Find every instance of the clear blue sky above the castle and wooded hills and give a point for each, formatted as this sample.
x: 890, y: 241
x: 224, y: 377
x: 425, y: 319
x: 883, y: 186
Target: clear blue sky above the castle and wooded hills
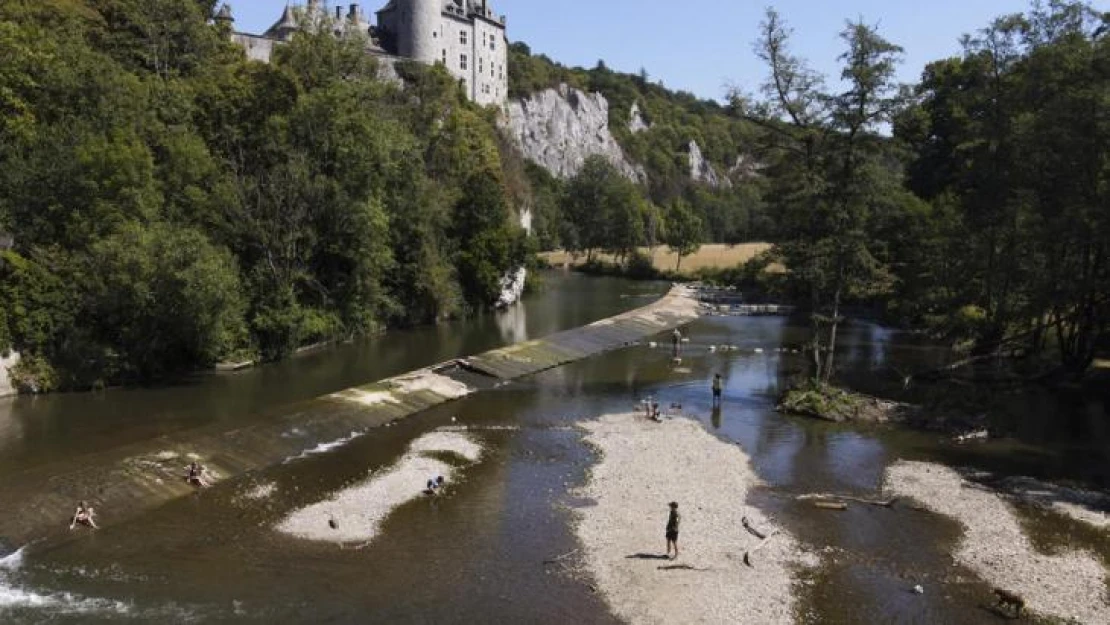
x: 703, y: 46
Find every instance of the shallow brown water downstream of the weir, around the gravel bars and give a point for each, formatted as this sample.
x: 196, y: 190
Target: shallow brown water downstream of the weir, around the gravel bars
x: 501, y: 547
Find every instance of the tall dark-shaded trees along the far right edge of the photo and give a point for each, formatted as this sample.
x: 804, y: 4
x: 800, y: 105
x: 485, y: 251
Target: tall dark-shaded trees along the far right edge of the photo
x: 1010, y: 146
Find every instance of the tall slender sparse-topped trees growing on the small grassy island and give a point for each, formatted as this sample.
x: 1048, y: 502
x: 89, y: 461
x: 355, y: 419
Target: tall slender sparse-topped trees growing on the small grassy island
x: 830, y: 182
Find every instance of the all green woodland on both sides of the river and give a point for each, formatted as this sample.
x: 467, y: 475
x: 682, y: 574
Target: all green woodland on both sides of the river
x: 166, y: 205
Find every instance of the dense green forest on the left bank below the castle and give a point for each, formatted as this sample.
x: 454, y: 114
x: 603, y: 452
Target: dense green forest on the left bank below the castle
x: 173, y: 205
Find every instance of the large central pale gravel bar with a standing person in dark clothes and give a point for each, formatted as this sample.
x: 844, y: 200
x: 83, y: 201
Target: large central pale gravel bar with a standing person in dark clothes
x: 644, y: 466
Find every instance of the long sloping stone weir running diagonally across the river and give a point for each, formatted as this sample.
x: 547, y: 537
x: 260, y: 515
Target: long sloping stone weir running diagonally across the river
x: 130, y: 480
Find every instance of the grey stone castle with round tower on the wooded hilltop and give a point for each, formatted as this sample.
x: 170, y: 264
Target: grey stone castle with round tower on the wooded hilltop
x: 465, y: 36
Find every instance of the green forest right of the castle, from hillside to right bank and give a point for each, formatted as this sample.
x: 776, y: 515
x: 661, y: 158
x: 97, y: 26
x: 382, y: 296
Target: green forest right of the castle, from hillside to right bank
x: 974, y: 206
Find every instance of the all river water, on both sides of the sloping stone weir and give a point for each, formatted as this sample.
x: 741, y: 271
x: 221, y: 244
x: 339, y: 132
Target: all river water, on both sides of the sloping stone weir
x: 479, y: 557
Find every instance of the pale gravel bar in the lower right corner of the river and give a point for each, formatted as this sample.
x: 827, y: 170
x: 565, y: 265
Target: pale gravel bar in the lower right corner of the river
x: 1069, y: 586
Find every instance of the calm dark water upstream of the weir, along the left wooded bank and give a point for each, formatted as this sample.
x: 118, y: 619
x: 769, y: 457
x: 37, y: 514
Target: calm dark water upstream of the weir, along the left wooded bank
x: 36, y: 431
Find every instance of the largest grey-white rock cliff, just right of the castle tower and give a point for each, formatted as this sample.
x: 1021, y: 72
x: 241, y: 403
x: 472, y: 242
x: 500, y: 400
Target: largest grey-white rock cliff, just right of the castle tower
x: 560, y: 129
